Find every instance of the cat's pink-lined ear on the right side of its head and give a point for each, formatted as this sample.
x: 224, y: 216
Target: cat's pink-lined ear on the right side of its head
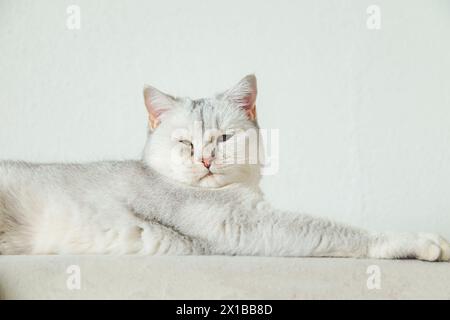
x: 243, y: 94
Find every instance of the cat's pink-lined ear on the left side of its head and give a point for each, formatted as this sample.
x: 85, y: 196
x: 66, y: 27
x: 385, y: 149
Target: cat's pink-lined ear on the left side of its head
x: 157, y: 103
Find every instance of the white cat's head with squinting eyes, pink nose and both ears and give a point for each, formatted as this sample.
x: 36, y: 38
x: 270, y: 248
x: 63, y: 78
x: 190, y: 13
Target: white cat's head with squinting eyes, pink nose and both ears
x: 211, y: 142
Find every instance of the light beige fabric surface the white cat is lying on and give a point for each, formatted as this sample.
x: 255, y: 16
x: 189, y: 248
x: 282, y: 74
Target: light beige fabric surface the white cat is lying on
x: 219, y: 277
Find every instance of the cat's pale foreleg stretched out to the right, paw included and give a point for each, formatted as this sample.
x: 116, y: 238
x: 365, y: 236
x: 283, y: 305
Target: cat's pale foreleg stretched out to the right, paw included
x: 268, y: 232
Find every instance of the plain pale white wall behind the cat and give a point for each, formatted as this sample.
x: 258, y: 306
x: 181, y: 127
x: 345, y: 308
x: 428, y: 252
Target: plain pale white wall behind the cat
x: 364, y: 115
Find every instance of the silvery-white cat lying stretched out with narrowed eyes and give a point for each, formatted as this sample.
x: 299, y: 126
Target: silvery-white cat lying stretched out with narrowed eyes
x: 186, y: 196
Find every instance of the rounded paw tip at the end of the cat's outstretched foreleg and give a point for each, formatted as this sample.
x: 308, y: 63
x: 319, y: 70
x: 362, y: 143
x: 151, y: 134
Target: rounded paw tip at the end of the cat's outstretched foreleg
x: 432, y: 247
